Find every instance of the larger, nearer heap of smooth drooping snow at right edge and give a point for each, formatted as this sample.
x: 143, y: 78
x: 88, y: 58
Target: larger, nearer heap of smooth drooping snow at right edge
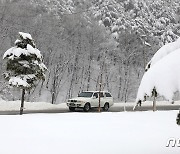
x: 164, y: 77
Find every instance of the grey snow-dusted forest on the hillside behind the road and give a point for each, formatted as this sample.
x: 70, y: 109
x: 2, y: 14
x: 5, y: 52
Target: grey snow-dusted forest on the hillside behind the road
x: 84, y: 40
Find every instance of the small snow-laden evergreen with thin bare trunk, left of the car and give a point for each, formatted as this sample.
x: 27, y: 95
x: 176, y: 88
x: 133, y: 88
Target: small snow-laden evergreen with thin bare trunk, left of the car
x: 24, y: 64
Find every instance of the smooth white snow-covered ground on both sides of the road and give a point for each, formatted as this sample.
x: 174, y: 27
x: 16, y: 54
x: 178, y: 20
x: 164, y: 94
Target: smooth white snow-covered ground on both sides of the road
x: 88, y: 133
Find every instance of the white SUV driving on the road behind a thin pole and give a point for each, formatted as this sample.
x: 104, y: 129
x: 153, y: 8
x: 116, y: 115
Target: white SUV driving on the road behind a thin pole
x: 90, y: 99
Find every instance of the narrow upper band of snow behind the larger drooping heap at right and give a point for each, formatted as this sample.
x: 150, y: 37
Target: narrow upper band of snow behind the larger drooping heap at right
x: 163, y: 51
